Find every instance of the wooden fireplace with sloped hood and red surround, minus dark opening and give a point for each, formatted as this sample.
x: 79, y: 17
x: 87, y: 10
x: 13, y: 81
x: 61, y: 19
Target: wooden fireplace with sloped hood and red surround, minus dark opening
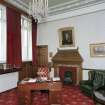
x: 68, y: 60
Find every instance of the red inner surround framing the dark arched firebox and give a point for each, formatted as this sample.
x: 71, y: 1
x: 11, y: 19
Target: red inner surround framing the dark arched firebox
x: 62, y: 70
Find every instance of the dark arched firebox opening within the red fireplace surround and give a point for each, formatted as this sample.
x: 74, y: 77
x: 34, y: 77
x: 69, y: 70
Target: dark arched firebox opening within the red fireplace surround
x: 67, y: 77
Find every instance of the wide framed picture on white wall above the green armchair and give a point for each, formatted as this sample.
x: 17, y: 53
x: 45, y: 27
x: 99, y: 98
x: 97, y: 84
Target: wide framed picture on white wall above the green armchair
x: 97, y: 50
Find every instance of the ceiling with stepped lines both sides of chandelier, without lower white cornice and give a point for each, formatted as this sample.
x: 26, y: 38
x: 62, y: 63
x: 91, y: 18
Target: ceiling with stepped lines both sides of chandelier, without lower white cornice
x: 58, y: 6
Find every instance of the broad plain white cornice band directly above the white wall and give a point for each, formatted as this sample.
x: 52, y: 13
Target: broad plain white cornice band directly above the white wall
x: 78, y: 12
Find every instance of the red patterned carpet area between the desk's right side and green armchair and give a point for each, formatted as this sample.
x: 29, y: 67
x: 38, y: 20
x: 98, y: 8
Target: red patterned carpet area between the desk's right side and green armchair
x: 73, y: 96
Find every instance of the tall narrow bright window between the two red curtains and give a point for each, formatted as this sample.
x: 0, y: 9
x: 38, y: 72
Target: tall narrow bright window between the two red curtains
x: 26, y: 39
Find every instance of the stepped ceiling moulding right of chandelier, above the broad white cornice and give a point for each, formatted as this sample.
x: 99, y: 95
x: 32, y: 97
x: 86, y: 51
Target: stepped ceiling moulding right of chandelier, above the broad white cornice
x: 72, y: 5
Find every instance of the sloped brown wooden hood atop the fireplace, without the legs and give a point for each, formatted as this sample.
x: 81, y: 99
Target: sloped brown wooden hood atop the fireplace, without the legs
x: 71, y: 57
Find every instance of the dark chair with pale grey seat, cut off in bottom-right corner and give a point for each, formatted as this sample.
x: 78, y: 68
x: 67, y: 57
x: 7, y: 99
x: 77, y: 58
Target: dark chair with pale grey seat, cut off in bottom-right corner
x: 99, y: 95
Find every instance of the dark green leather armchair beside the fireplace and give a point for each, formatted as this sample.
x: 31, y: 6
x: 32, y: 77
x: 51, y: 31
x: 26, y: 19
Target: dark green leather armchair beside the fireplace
x: 96, y: 80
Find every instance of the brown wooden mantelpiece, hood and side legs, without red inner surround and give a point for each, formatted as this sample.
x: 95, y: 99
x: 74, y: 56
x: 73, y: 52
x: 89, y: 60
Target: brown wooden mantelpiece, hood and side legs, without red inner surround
x: 68, y: 58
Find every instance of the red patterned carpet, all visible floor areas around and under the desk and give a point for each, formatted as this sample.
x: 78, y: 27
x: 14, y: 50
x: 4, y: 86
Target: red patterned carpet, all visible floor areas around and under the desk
x: 70, y: 96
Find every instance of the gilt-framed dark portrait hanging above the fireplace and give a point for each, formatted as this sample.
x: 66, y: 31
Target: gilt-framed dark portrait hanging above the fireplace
x: 66, y: 37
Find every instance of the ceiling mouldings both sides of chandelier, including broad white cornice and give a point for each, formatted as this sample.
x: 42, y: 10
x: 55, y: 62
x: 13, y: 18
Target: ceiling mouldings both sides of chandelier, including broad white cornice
x: 67, y: 9
